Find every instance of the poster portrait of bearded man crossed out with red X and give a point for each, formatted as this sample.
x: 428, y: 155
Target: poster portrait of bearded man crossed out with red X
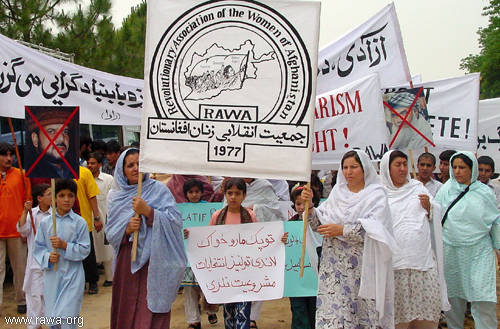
x: 52, y: 163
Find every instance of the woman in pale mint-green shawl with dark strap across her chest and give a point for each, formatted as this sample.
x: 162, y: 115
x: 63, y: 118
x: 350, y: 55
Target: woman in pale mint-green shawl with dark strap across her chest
x: 471, y: 231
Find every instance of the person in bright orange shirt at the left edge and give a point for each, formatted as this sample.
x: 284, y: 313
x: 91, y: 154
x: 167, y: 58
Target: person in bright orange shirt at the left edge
x: 13, y: 194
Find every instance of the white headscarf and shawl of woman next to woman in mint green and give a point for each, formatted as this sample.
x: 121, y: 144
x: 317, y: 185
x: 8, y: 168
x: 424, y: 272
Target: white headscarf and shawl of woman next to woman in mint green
x: 405, y: 204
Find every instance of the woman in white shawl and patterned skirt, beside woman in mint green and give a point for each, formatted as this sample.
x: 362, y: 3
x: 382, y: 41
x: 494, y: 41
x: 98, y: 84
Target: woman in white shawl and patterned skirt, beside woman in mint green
x: 420, y: 295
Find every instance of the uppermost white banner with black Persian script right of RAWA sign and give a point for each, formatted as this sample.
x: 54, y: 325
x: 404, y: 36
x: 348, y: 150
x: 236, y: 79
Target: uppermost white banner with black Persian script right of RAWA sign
x: 376, y: 46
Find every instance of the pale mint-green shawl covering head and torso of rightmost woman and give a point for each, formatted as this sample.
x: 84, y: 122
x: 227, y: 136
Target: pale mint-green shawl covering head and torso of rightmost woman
x: 475, y: 216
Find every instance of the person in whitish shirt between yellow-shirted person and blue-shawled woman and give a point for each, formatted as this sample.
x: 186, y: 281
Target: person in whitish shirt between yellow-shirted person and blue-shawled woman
x: 103, y: 250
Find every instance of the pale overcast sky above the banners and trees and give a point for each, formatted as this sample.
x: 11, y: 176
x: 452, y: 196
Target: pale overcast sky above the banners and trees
x: 437, y: 34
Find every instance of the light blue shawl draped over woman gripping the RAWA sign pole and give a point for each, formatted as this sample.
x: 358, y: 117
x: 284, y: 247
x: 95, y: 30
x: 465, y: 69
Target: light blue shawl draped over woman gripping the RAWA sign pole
x: 162, y: 244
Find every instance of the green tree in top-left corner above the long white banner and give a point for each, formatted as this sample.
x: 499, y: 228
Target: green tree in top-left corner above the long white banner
x: 27, y: 20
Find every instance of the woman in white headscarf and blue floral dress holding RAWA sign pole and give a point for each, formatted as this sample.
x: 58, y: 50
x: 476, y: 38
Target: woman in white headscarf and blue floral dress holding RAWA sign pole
x: 355, y: 279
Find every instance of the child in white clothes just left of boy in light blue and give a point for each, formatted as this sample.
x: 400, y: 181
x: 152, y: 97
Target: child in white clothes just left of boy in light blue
x: 33, y: 279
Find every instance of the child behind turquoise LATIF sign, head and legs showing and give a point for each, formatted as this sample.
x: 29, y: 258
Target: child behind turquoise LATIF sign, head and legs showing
x: 193, y: 190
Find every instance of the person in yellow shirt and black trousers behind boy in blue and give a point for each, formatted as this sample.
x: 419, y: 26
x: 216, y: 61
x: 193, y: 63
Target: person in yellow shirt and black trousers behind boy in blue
x: 86, y: 194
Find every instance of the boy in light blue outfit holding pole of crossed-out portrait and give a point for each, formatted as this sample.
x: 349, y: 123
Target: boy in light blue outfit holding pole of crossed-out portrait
x: 64, y: 287
